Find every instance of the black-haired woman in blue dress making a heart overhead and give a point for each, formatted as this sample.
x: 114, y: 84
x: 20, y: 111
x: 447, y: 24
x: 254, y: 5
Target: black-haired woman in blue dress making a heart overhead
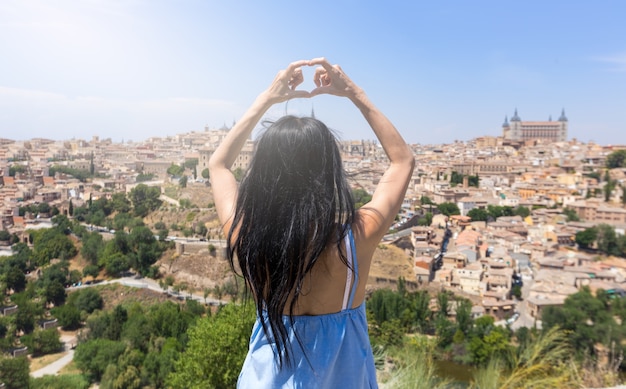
x: 303, y: 249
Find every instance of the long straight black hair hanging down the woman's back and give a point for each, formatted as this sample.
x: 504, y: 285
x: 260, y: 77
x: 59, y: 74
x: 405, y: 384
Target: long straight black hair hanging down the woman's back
x: 293, y: 202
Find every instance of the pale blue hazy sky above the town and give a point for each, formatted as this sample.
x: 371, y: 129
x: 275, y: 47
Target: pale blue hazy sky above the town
x: 441, y: 70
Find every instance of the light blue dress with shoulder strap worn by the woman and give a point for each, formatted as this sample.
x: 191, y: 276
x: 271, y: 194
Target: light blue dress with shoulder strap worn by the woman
x: 334, y: 352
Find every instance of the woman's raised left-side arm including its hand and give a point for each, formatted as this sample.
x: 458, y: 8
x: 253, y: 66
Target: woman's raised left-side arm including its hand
x: 223, y: 182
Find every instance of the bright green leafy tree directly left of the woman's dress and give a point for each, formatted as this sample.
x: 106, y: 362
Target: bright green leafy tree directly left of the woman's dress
x: 217, y: 366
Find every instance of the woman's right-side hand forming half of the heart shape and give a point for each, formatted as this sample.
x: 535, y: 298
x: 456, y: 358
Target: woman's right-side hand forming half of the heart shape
x: 330, y: 79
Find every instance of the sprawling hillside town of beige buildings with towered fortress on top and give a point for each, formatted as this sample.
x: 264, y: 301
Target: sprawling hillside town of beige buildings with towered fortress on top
x: 511, y: 265
